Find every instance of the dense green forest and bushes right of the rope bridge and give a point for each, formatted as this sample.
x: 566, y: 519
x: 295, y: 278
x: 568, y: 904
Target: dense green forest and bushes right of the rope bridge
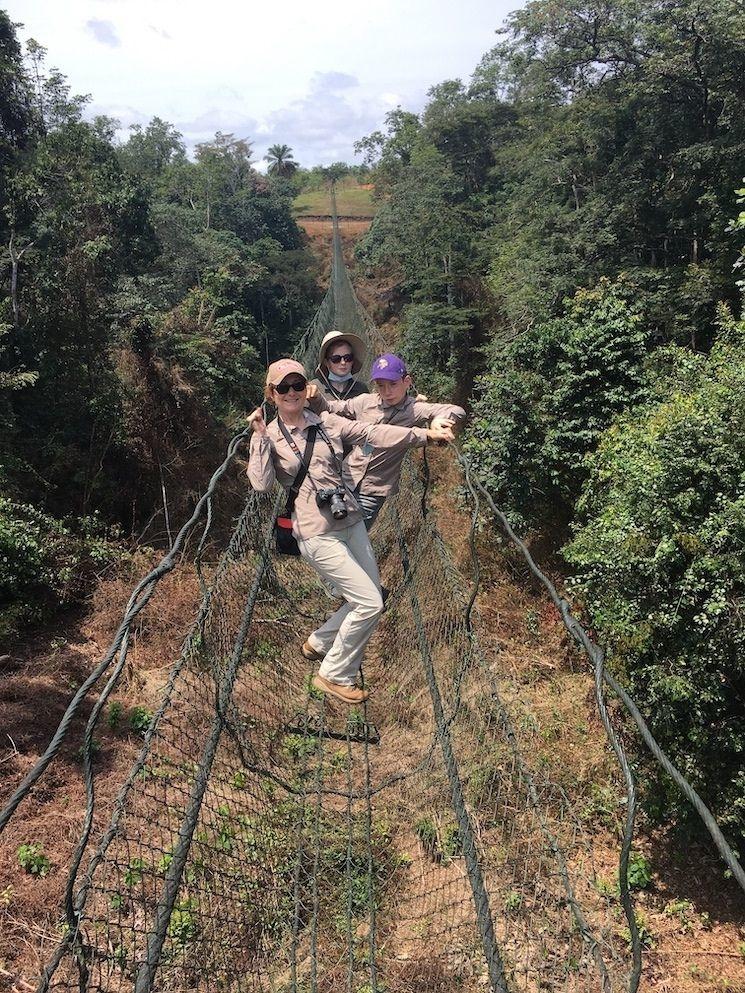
x: 566, y: 231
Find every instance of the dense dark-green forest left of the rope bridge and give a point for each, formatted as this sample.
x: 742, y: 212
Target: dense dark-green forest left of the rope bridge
x: 139, y: 292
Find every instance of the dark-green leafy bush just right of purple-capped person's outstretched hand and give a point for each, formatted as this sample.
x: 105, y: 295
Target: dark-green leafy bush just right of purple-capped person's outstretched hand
x: 551, y: 395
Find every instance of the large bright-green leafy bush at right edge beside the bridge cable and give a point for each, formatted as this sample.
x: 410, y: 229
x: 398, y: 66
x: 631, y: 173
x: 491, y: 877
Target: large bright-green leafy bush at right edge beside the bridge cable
x: 659, y: 553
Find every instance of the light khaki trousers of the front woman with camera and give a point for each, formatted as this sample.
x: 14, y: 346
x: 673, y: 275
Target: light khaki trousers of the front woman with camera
x: 345, y: 558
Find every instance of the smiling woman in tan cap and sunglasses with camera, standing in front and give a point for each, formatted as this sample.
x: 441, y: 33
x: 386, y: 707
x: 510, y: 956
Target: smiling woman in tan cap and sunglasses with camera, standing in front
x: 326, y: 520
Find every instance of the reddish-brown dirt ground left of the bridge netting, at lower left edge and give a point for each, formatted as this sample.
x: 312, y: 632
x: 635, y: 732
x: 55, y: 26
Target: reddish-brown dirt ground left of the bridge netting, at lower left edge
x: 45, y: 673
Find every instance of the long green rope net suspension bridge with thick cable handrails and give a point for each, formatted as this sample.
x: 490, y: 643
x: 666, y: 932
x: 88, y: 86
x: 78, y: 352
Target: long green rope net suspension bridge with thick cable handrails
x: 267, y: 839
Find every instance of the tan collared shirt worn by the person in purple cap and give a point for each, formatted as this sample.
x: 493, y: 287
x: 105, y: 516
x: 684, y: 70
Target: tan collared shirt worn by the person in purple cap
x: 377, y: 471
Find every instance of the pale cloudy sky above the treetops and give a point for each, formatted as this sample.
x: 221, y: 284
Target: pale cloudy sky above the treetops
x: 315, y: 76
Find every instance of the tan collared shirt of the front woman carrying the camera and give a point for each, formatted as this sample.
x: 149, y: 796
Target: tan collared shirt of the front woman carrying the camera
x: 272, y: 458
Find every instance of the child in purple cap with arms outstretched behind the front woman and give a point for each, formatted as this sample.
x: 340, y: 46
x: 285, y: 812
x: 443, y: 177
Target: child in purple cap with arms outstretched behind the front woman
x: 374, y: 473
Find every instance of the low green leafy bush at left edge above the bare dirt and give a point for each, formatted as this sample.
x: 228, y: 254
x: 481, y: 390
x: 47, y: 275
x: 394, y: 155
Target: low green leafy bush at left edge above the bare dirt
x: 47, y: 563
